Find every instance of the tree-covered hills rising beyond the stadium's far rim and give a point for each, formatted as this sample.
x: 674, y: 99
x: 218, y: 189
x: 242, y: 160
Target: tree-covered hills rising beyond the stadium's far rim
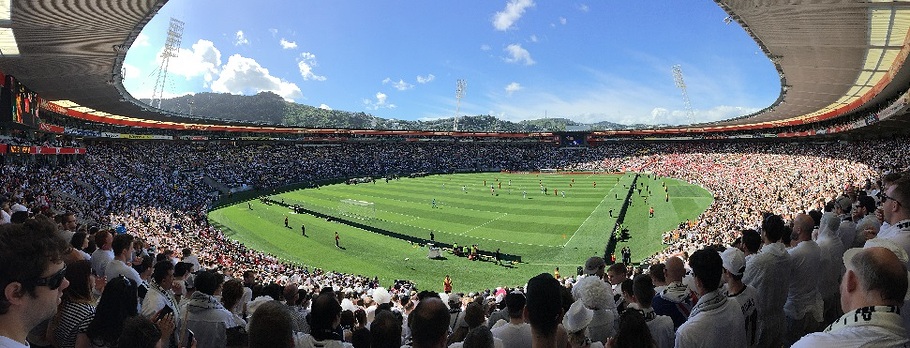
x: 269, y: 108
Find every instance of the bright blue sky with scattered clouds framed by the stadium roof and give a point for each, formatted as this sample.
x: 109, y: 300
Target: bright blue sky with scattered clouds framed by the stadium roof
x: 522, y: 59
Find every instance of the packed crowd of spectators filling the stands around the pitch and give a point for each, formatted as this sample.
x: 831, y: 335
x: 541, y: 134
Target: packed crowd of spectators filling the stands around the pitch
x: 157, y: 192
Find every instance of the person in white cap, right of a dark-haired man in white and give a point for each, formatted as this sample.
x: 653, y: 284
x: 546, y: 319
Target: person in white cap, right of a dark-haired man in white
x: 734, y: 266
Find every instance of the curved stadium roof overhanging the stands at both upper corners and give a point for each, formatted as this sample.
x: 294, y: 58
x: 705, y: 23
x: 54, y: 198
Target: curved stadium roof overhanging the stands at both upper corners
x: 829, y: 54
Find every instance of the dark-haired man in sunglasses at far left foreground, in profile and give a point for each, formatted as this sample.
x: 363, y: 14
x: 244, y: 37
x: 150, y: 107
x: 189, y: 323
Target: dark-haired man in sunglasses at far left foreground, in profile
x: 32, y: 276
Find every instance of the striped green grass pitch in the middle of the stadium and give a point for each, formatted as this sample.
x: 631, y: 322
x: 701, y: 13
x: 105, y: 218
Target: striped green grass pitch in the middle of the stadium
x: 561, y: 228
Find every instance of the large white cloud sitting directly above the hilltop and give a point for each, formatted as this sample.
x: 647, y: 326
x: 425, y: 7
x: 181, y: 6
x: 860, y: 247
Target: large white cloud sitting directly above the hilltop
x: 242, y: 75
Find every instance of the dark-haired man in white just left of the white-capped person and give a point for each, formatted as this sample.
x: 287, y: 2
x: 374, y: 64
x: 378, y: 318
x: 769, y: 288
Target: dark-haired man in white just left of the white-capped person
x: 716, y: 321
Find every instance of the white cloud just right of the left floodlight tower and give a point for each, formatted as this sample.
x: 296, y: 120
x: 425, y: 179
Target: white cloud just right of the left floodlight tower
x: 202, y: 59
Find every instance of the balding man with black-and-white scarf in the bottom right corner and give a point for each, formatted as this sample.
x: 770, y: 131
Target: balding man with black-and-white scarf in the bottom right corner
x: 872, y: 291
